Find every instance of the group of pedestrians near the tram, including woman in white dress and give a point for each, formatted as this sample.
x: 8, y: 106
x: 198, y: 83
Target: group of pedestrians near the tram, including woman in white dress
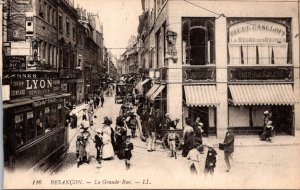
x: 108, y: 142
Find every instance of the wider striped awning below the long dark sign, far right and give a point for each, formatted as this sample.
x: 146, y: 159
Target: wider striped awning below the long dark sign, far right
x: 270, y: 94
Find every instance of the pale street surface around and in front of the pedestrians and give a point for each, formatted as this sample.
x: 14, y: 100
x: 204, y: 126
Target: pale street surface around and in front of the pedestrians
x: 253, y: 167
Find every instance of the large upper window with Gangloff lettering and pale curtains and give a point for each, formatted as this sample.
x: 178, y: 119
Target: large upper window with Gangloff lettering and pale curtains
x: 259, y: 42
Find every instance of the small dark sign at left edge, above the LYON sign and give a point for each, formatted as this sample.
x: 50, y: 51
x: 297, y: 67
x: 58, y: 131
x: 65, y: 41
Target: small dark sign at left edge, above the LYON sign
x: 15, y: 63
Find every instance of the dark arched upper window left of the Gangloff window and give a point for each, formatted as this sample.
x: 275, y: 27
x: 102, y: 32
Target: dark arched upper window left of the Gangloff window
x: 198, y: 41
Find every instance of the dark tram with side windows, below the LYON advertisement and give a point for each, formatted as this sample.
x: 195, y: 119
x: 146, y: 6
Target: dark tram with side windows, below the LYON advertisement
x: 34, y: 132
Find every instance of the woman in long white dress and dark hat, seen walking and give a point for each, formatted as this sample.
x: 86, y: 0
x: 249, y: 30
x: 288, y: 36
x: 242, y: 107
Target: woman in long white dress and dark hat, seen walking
x: 108, y: 151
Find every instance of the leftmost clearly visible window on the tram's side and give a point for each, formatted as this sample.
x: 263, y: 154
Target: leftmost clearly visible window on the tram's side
x: 20, y: 132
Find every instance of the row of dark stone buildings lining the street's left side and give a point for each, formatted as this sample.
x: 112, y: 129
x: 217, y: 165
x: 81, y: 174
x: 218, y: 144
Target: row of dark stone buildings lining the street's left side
x: 56, y: 40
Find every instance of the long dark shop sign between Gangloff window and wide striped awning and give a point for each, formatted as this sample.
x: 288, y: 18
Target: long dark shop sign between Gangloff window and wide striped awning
x: 248, y: 74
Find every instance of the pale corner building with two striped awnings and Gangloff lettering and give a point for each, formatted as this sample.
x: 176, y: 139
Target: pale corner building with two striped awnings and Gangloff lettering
x: 224, y: 64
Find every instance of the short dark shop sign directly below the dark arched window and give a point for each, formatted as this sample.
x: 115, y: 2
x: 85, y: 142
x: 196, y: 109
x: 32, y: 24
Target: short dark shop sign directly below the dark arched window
x: 199, y: 74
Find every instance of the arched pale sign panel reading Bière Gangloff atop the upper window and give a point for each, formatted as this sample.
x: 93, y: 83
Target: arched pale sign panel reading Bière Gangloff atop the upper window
x: 257, y: 31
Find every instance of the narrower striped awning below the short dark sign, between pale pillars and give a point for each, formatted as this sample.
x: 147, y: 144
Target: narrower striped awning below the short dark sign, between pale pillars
x: 201, y: 95
